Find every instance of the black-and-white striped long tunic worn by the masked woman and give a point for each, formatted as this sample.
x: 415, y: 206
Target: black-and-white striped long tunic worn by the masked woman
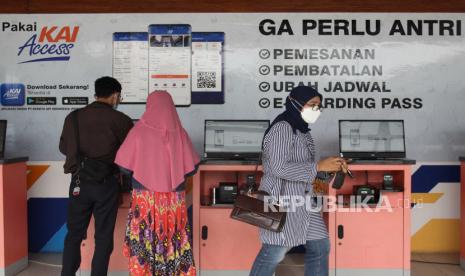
x: 289, y: 162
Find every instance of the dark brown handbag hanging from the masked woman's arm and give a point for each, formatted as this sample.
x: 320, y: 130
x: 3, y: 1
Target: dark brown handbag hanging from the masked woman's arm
x: 250, y: 208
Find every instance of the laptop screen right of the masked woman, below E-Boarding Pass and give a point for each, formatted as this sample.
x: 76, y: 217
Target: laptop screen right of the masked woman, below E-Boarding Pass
x: 372, y: 139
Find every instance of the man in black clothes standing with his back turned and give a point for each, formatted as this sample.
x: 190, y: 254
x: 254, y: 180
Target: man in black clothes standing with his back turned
x: 101, y: 131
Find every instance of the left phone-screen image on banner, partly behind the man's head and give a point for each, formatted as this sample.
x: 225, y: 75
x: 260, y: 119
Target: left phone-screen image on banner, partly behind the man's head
x: 130, y: 65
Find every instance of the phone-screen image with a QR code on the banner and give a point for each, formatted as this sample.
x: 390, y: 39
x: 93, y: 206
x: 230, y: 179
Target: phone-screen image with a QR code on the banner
x: 207, y: 68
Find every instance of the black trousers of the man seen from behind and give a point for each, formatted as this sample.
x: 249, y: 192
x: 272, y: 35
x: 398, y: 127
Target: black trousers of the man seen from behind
x: 100, y: 200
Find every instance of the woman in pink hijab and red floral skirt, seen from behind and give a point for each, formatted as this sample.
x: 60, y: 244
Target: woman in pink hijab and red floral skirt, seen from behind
x: 159, y: 155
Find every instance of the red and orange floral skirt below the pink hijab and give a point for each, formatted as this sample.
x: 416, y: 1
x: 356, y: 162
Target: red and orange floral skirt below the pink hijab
x: 157, y: 240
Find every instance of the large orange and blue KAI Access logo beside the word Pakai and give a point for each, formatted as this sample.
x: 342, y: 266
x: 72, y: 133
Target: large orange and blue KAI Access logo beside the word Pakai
x: 52, y: 43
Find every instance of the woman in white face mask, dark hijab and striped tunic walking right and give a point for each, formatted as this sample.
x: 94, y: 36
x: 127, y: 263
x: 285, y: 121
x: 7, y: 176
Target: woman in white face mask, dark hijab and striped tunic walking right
x: 290, y: 167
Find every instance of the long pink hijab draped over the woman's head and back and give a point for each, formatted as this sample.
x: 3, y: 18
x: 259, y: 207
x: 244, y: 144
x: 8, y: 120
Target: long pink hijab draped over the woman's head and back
x: 157, y: 149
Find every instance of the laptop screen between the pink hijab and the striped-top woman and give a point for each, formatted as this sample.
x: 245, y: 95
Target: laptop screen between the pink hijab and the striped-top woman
x: 234, y: 139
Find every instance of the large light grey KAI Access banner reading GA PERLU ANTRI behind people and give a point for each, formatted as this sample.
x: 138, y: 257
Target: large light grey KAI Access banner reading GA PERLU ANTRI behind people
x: 376, y: 66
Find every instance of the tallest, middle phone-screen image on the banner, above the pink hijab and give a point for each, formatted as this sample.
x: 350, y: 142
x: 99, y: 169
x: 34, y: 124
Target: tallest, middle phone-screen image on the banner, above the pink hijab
x: 170, y: 61
